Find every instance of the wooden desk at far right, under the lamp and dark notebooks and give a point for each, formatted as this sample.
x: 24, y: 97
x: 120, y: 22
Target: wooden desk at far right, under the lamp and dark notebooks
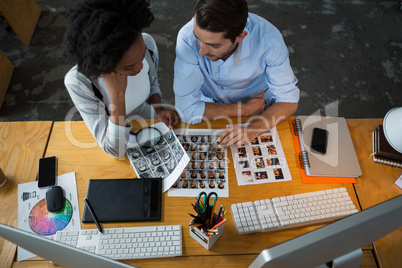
x: 376, y: 185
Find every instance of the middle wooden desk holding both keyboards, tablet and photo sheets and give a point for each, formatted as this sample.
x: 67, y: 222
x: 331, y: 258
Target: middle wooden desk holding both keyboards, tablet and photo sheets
x: 77, y: 152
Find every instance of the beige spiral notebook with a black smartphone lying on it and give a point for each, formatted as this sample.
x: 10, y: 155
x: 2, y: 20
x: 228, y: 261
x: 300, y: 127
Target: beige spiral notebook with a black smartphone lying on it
x: 340, y: 159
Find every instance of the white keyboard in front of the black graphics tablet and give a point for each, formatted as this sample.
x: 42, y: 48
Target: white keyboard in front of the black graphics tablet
x: 127, y: 243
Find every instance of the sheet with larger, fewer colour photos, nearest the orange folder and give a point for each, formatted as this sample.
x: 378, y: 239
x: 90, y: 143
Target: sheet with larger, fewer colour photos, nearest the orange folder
x: 262, y: 161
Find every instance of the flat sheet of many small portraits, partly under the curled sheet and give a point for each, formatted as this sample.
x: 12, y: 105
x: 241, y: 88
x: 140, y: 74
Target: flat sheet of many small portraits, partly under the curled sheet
x: 207, y: 170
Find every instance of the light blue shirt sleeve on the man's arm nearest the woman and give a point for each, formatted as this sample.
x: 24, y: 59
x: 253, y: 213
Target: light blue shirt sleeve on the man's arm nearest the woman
x: 188, y: 80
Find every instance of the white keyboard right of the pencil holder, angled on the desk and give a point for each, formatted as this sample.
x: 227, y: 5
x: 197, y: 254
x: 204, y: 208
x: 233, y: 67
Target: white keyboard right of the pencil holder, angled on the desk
x: 292, y: 211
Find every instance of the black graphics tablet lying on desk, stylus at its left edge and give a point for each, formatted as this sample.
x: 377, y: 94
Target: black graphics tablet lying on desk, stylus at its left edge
x: 124, y: 200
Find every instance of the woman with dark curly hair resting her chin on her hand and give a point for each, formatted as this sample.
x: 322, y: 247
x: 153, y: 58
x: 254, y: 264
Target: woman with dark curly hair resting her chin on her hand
x: 115, y: 77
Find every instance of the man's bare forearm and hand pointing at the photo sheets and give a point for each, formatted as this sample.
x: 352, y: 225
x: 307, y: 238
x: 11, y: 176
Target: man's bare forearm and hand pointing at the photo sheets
x: 237, y: 135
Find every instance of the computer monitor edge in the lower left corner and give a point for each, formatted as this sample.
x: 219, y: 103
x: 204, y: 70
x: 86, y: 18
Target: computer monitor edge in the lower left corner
x: 58, y: 253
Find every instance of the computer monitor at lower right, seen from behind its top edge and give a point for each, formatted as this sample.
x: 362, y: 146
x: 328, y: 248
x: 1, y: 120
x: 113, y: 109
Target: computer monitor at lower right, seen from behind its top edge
x: 338, y: 243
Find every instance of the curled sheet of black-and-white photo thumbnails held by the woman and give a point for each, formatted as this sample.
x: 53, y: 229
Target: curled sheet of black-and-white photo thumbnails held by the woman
x: 166, y: 160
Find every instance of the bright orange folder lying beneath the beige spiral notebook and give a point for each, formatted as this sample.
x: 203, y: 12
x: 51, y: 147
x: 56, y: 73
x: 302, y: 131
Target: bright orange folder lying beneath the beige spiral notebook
x: 300, y: 162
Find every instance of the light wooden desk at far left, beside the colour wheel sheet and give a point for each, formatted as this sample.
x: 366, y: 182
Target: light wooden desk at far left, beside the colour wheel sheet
x: 21, y: 146
